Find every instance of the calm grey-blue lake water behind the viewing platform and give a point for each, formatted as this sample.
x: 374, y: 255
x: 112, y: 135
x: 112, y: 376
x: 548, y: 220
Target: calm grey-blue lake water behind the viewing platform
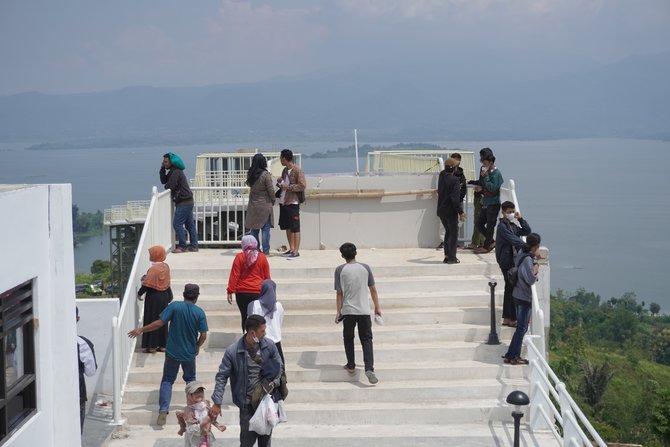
x: 600, y: 205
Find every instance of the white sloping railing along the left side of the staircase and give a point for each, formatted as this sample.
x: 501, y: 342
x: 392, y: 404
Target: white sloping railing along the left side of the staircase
x: 157, y: 231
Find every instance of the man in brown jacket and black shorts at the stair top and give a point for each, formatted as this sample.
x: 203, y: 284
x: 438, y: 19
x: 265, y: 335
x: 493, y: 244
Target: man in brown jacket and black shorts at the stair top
x: 292, y: 182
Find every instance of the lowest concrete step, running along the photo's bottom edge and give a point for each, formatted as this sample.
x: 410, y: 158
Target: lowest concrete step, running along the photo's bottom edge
x: 419, y: 435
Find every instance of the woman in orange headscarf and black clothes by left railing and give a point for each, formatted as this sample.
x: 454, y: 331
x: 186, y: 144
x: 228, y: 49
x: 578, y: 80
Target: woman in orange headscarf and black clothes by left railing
x: 156, y: 285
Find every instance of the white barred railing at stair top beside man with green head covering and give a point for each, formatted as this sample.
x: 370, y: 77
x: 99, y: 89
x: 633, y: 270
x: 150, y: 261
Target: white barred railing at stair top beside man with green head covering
x: 220, y: 214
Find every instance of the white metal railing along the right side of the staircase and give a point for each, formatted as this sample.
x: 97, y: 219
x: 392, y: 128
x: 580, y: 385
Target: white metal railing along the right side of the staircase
x: 545, y: 387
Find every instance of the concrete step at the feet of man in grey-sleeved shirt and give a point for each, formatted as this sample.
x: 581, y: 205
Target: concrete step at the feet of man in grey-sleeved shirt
x: 420, y: 370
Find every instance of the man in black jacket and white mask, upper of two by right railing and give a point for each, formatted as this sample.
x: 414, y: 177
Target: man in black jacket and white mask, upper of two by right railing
x: 508, y: 242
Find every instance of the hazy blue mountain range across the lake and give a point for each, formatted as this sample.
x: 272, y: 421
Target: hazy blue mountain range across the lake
x: 626, y: 99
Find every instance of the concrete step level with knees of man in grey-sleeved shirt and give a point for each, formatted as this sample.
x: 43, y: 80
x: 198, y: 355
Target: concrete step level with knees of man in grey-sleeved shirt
x: 387, y: 334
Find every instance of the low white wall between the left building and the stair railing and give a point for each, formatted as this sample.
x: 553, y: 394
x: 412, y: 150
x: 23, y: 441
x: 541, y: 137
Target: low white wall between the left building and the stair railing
x: 95, y: 323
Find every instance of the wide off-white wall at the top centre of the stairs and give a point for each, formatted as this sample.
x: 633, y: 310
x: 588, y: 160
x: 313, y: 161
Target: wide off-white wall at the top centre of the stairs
x: 382, y: 222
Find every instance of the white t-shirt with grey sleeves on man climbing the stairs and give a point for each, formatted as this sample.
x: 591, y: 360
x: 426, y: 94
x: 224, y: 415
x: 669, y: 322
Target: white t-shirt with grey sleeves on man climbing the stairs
x: 354, y: 281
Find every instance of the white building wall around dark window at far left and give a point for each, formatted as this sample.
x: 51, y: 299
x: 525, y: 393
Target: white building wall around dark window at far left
x: 37, y: 243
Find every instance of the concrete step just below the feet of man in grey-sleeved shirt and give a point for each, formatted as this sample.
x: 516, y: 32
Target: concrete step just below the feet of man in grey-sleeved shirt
x: 354, y: 391
